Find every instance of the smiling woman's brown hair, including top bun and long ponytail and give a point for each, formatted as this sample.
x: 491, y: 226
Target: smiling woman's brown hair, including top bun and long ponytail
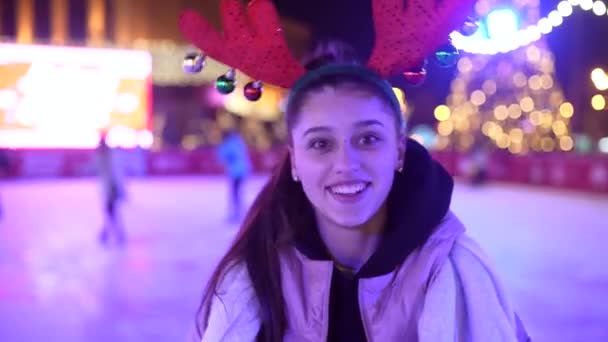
x: 280, y: 212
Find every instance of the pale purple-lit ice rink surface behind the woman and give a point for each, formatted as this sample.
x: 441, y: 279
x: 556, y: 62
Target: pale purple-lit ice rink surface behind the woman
x: 58, y: 284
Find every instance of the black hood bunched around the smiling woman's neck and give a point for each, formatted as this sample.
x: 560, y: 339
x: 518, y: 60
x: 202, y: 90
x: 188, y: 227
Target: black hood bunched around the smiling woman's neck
x: 418, y: 202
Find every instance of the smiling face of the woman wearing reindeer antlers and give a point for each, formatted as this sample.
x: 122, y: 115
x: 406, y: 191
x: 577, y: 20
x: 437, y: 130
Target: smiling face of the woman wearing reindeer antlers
x: 345, y: 150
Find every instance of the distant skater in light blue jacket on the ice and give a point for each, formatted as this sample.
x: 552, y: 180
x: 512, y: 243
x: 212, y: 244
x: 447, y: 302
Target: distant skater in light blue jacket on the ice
x: 235, y: 158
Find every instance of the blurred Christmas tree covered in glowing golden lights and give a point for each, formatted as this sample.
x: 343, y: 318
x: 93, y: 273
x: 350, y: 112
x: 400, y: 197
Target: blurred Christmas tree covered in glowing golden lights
x: 506, y: 95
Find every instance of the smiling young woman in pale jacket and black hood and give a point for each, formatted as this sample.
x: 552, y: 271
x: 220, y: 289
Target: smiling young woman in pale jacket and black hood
x: 352, y: 238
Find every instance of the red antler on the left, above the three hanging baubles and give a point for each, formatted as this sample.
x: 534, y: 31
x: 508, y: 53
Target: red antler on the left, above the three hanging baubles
x: 252, y: 41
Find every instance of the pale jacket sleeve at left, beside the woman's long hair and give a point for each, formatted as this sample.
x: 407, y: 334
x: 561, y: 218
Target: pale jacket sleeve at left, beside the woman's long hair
x: 234, y: 314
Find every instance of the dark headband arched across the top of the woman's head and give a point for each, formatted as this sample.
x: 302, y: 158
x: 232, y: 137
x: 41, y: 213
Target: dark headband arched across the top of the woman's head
x: 355, y: 71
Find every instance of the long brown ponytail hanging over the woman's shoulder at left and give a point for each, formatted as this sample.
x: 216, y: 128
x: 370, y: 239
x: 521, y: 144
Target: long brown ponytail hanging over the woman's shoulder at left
x: 278, y: 212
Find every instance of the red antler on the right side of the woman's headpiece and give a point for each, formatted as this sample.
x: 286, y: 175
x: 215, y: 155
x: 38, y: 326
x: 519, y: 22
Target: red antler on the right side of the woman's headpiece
x: 405, y: 38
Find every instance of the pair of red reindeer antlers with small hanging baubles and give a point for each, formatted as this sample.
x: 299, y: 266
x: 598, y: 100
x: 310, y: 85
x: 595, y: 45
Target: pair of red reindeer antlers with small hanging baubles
x: 253, y: 42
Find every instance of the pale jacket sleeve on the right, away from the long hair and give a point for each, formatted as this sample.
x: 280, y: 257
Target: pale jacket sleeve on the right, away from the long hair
x: 467, y: 299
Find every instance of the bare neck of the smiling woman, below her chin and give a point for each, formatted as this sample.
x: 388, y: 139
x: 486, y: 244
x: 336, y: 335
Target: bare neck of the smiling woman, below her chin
x: 351, y: 247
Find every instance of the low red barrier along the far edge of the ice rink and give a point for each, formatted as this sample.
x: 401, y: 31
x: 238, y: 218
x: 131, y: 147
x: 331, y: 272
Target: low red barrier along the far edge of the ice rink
x: 569, y: 171
